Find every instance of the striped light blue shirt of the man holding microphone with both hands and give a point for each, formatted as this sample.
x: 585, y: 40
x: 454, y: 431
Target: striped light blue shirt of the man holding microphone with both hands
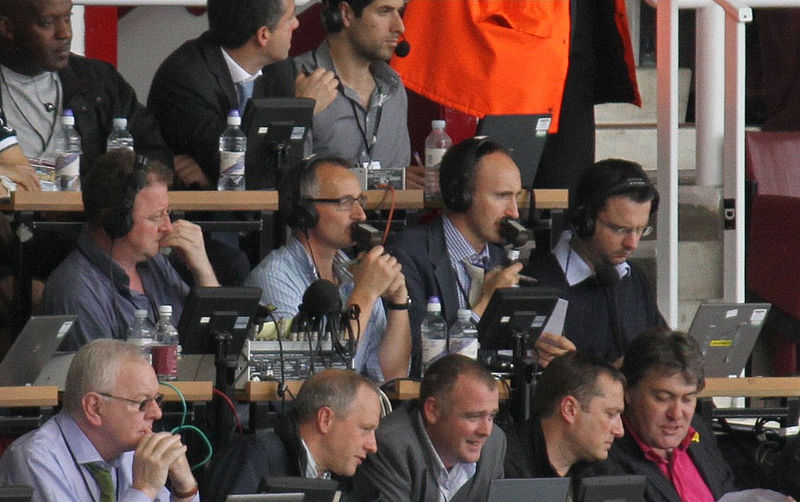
x: 285, y: 274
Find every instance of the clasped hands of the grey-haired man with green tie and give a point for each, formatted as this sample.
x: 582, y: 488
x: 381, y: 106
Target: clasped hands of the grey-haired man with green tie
x: 153, y: 460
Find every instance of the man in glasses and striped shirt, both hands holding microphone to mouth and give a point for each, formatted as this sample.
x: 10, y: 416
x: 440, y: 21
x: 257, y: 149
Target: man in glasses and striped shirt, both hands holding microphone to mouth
x: 321, y: 199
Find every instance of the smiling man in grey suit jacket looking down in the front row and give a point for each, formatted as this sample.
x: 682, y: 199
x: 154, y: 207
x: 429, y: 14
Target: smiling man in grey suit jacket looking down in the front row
x: 443, y: 446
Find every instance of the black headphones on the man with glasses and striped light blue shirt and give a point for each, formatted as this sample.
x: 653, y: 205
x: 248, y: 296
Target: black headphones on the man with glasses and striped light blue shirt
x: 298, y: 209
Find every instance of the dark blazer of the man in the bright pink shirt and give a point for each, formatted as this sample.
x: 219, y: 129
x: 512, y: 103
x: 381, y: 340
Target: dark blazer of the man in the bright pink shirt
x: 627, y: 458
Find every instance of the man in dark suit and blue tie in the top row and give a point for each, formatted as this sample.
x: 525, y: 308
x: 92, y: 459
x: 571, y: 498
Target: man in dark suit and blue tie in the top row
x: 197, y: 86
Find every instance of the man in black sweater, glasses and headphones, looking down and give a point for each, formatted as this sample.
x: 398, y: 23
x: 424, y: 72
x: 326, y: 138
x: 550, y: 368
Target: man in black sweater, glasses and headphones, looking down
x: 610, y: 301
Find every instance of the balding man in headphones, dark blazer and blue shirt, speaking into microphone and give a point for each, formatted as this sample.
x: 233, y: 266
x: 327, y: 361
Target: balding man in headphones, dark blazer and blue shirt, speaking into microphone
x: 455, y: 257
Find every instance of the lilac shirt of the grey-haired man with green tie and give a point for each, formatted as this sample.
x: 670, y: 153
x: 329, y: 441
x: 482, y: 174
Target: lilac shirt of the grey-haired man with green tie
x: 43, y: 460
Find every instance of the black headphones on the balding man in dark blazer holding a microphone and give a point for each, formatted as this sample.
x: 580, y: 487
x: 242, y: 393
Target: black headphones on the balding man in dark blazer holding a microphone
x: 458, y: 168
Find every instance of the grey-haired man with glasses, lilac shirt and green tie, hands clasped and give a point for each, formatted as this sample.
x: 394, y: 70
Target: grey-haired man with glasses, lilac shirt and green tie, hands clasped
x: 101, y: 446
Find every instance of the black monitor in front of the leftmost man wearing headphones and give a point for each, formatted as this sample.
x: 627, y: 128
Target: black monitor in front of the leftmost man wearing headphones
x: 223, y: 309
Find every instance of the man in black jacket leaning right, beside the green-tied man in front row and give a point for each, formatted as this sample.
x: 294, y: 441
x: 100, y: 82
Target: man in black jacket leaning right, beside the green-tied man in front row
x: 328, y: 433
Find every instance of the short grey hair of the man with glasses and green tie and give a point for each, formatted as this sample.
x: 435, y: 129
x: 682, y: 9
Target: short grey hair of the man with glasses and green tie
x: 95, y: 369
